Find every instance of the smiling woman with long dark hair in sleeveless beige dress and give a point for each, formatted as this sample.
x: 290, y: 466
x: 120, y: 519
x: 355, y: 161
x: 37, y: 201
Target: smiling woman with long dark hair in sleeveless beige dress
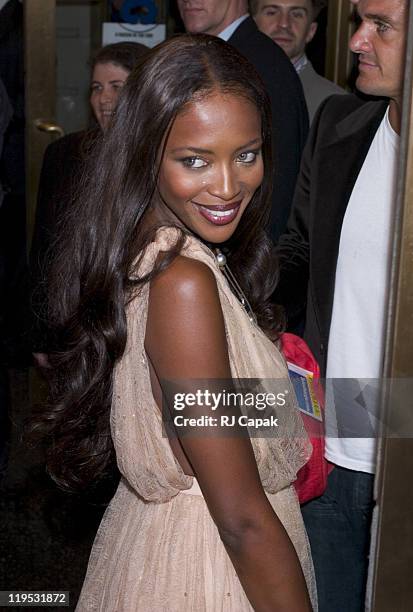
x: 164, y: 274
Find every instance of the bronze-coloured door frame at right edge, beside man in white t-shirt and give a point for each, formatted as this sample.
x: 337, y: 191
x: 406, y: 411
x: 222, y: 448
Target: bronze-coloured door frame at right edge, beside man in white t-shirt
x: 392, y: 559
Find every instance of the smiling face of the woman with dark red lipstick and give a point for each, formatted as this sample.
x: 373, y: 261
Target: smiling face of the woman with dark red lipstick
x: 212, y: 166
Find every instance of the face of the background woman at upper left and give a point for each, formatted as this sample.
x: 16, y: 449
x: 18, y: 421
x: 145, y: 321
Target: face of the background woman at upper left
x: 107, y: 81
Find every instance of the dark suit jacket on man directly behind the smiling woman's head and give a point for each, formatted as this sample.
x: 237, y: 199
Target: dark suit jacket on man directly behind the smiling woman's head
x: 289, y: 114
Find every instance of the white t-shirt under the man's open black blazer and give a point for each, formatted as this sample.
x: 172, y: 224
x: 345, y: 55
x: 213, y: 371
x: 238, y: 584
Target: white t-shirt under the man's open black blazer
x: 356, y: 340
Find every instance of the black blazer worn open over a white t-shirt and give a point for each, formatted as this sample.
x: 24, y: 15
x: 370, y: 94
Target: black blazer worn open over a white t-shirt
x: 340, y: 137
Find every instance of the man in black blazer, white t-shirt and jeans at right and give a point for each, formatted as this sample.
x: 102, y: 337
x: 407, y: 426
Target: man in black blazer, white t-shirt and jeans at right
x: 337, y: 251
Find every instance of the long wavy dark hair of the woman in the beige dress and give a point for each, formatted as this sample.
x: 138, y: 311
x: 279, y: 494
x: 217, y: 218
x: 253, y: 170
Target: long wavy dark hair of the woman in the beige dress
x: 102, y: 235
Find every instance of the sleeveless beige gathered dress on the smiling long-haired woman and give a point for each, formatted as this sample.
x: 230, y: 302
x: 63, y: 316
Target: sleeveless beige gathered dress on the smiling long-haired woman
x: 157, y: 548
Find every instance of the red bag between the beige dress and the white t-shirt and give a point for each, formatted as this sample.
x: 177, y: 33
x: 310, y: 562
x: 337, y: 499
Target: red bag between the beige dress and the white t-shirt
x: 312, y: 477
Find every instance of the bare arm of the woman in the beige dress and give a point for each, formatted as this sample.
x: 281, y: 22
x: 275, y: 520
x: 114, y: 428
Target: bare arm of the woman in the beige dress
x: 185, y: 339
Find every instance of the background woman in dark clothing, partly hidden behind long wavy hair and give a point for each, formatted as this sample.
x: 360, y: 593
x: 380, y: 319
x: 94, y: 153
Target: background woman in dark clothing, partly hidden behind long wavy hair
x: 62, y: 168
